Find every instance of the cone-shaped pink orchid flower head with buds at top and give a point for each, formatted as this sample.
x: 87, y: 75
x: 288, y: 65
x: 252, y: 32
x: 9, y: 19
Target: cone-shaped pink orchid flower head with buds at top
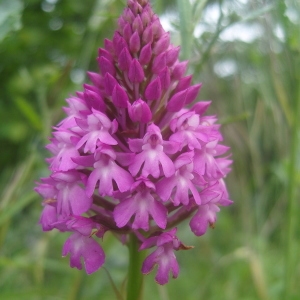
x: 134, y: 154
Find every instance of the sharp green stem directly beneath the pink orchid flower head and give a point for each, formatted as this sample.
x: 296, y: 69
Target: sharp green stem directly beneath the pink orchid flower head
x: 135, y: 277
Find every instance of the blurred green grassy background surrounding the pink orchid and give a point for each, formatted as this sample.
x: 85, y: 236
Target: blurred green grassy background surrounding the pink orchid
x: 247, y: 54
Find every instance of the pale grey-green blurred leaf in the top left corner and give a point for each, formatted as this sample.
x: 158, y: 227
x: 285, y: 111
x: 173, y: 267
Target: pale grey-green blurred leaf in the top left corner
x: 10, y: 16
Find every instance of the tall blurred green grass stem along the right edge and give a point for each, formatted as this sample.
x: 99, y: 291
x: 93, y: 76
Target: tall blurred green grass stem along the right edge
x: 292, y: 193
